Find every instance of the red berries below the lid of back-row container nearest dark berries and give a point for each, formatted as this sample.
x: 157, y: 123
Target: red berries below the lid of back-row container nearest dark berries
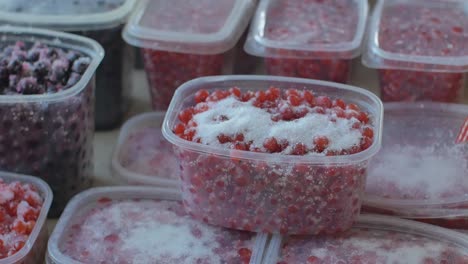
x: 168, y: 70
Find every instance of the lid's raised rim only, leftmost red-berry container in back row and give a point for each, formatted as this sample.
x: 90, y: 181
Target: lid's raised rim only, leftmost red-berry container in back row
x: 140, y: 36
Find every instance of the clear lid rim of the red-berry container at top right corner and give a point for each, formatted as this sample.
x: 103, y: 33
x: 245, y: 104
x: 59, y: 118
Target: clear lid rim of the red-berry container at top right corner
x: 373, y: 49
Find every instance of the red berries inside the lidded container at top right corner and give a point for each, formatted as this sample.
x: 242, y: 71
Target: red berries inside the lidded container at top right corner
x: 412, y: 30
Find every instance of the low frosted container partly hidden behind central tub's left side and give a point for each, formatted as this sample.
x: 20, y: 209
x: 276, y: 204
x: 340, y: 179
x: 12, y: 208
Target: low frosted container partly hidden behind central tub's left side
x: 143, y: 156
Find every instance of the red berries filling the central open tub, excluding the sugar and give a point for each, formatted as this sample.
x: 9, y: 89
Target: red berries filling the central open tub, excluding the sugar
x: 273, y: 196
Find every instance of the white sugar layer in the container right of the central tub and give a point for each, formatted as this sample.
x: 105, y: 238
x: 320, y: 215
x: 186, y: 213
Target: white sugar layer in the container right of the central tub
x: 423, y: 172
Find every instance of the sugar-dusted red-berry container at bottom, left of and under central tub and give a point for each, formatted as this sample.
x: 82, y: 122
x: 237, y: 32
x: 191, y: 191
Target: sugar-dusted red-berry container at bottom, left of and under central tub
x: 144, y: 225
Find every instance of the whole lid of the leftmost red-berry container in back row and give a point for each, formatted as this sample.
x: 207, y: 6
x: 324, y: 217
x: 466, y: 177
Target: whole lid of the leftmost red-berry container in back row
x: 188, y: 26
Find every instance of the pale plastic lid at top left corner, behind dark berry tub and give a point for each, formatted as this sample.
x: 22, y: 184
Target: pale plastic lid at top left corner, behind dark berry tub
x: 77, y: 15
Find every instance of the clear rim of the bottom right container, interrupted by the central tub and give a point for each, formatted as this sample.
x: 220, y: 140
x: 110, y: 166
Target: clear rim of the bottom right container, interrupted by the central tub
x: 391, y: 224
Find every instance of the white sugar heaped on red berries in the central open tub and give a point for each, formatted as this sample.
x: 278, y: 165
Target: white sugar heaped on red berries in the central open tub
x: 256, y: 126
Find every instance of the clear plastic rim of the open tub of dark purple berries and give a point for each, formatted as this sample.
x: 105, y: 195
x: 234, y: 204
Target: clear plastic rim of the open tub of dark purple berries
x: 88, y: 46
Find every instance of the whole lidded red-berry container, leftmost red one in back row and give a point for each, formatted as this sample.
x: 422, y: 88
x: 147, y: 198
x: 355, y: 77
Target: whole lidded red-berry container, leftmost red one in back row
x: 182, y: 40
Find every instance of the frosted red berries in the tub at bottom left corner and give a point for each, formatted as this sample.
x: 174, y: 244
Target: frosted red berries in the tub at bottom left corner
x: 20, y: 205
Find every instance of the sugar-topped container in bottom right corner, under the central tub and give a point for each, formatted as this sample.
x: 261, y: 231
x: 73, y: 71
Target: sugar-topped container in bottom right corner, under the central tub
x: 374, y: 239
